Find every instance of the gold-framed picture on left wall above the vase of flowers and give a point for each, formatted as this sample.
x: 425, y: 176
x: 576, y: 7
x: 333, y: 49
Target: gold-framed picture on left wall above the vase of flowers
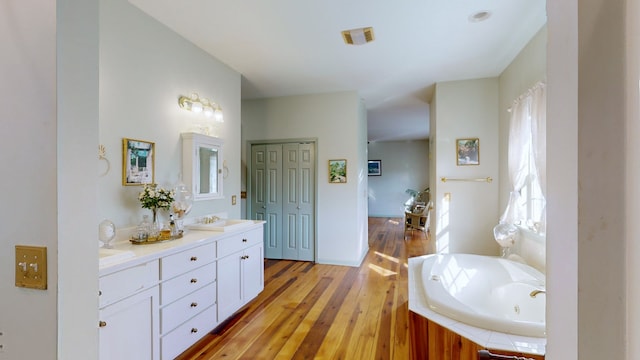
x: 138, y: 165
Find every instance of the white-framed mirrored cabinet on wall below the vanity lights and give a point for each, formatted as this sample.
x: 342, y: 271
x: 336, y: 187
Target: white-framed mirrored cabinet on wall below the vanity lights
x: 202, y: 165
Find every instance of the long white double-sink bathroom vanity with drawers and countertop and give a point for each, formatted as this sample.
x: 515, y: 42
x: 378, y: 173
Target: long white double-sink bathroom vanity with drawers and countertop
x: 157, y: 300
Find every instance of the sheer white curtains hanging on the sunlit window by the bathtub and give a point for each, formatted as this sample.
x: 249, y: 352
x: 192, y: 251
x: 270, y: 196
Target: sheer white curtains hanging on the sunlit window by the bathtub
x: 527, y: 137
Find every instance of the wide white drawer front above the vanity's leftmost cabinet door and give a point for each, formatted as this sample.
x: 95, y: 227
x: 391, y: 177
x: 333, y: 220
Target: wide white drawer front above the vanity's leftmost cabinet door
x: 126, y: 282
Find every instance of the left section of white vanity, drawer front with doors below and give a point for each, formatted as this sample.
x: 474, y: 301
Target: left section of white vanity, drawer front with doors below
x: 128, y: 315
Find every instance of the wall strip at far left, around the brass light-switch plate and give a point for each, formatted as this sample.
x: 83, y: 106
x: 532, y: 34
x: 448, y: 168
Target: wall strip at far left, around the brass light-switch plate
x: 28, y: 156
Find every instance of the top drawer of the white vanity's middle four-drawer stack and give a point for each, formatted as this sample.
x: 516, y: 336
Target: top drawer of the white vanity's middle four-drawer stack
x: 176, y: 264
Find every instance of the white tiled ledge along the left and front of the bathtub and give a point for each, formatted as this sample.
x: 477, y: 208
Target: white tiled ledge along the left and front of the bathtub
x: 486, y: 338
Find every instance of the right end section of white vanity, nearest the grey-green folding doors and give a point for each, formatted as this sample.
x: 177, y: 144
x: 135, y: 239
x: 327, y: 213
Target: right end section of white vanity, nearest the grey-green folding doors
x: 240, y: 263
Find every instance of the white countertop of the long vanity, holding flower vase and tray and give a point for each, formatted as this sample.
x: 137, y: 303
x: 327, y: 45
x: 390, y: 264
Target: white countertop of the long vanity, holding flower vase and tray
x: 137, y: 254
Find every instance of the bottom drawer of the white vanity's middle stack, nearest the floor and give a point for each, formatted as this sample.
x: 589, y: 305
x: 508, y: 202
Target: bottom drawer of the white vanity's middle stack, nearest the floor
x: 180, y: 339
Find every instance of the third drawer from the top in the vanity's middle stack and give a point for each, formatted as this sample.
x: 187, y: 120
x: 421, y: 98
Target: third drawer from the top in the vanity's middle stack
x: 185, y: 308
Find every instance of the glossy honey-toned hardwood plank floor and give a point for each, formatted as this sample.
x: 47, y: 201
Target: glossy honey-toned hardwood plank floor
x: 312, y: 311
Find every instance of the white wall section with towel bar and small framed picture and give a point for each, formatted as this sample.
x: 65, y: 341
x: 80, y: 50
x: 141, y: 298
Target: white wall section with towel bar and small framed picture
x: 465, y: 219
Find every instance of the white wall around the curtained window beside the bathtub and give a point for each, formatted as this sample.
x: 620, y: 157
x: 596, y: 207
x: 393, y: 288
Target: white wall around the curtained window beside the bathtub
x: 528, y: 68
